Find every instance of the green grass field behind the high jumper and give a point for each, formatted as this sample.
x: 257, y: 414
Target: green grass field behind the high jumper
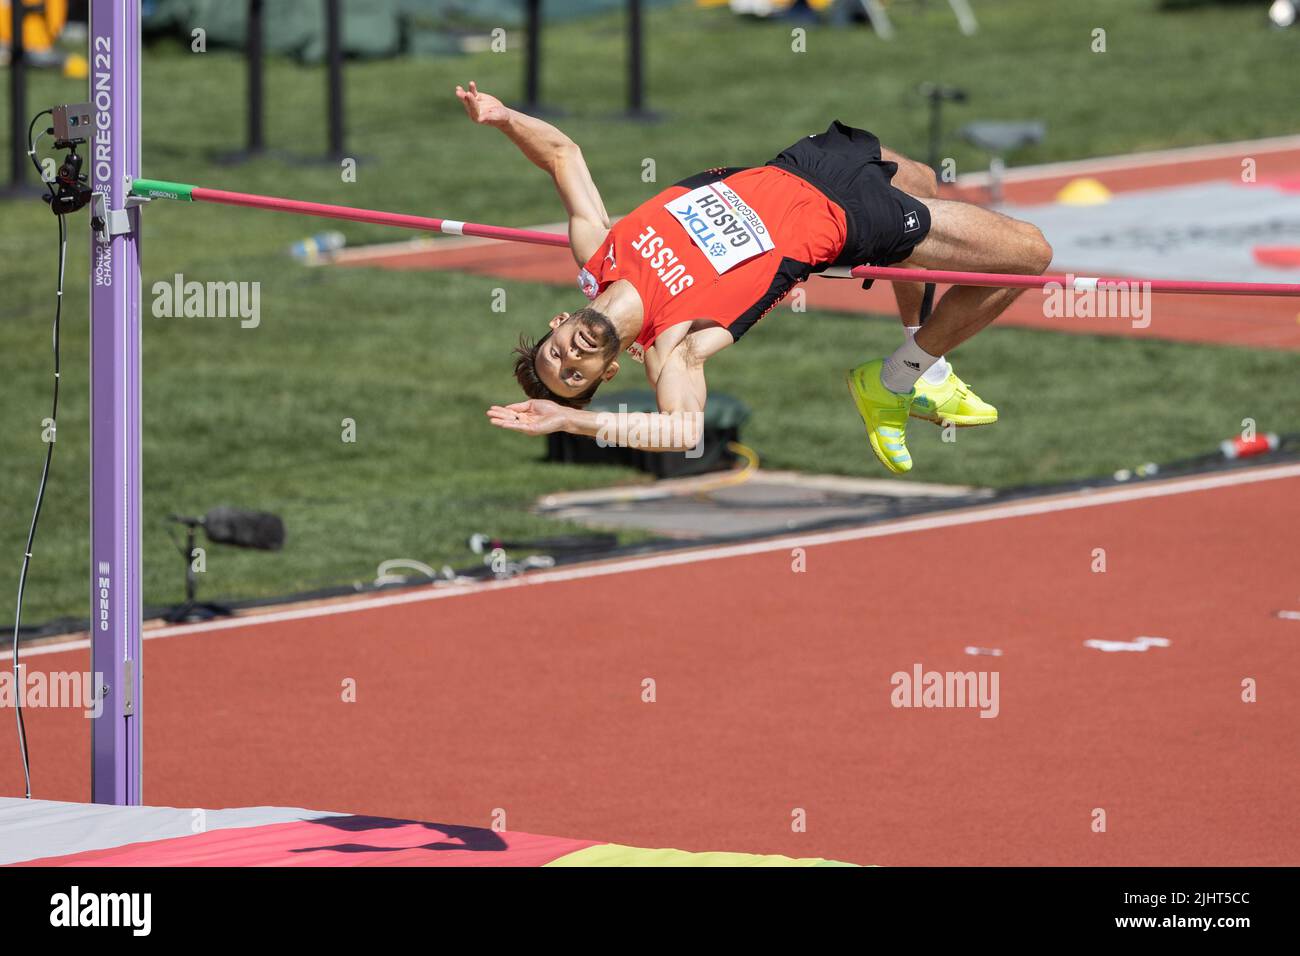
x: 253, y: 417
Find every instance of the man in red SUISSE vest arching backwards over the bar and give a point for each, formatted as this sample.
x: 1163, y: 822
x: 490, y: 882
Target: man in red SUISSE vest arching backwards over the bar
x: 690, y: 271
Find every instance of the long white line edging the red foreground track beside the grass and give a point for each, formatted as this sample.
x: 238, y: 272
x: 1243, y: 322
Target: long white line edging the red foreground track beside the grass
x: 948, y: 520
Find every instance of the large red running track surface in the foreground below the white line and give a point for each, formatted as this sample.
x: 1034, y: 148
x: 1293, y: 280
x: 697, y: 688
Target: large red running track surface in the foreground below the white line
x: 774, y: 694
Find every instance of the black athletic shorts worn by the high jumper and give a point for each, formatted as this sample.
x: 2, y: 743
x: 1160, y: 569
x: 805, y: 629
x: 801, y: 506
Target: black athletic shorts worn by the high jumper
x: 885, y: 224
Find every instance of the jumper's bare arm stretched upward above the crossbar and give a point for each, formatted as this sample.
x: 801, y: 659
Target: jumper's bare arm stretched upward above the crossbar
x: 556, y: 154
